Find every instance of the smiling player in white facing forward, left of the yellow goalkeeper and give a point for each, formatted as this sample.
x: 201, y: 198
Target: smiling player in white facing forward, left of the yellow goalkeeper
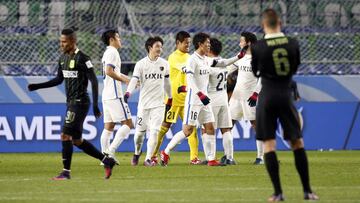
x: 153, y: 74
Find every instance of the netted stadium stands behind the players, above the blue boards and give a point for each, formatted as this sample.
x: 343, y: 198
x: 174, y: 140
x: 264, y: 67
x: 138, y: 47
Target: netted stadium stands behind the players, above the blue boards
x: 328, y: 30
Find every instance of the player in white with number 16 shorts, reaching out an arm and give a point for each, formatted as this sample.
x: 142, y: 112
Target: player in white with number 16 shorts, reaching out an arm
x: 196, y: 102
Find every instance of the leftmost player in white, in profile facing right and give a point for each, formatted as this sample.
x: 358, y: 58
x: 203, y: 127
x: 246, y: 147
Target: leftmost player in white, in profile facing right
x: 115, y: 109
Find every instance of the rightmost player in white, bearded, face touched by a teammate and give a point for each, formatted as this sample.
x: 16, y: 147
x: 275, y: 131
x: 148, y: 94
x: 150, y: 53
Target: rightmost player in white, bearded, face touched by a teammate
x: 243, y: 100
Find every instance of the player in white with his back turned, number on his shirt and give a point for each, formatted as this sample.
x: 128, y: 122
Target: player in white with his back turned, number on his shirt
x: 219, y: 103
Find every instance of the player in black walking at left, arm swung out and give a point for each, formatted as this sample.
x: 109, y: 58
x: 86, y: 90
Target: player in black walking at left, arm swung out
x: 76, y: 69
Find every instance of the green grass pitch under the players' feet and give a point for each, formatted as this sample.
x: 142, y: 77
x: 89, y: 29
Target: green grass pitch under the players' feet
x: 26, y: 178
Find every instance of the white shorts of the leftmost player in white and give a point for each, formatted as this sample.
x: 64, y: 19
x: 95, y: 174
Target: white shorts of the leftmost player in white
x: 115, y: 111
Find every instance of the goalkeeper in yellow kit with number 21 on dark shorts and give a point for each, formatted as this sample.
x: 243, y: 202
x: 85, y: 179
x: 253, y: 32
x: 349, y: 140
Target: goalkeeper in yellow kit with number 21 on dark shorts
x: 177, y: 61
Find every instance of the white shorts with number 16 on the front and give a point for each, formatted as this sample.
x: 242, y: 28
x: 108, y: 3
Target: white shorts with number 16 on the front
x: 201, y: 114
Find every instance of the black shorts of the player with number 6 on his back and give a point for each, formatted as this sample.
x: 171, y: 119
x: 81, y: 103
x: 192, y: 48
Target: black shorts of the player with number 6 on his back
x: 273, y: 106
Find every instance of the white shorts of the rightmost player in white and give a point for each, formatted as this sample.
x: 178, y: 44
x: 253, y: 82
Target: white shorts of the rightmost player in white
x: 240, y: 109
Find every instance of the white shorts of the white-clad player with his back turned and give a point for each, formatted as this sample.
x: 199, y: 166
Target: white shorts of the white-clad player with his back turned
x: 222, y: 116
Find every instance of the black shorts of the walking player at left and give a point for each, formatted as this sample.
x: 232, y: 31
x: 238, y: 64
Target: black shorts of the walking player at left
x: 75, y: 116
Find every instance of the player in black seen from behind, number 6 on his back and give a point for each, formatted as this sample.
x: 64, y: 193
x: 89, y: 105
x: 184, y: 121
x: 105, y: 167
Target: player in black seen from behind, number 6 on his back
x: 276, y: 59
